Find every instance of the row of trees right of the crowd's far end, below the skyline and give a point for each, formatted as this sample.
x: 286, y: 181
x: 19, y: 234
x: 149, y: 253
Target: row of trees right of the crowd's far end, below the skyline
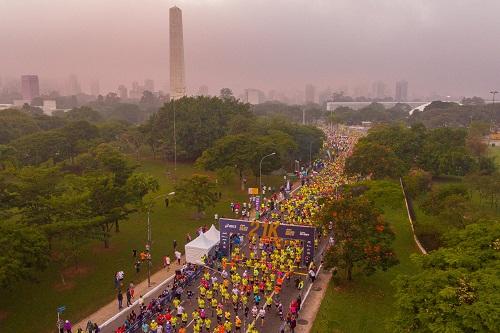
x: 392, y: 150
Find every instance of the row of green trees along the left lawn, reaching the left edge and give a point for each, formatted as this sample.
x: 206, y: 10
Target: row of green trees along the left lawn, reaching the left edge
x: 62, y: 206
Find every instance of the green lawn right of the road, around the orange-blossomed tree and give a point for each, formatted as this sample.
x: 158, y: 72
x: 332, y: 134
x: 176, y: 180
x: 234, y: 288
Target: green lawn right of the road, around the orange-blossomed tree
x: 367, y: 303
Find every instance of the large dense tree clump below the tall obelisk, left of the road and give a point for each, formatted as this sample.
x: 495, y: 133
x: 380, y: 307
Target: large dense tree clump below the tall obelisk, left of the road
x: 223, y: 132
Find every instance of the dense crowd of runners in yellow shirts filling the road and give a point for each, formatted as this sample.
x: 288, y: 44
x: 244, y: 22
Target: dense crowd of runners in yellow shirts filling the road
x: 238, y: 293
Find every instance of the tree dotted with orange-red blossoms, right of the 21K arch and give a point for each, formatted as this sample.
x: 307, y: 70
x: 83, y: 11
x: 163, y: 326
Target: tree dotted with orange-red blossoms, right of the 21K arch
x: 362, y: 237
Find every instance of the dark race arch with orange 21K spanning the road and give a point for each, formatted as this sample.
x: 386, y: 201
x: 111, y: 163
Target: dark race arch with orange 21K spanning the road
x: 265, y: 229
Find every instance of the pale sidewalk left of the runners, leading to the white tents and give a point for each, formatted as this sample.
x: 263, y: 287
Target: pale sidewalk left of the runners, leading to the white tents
x: 111, y: 309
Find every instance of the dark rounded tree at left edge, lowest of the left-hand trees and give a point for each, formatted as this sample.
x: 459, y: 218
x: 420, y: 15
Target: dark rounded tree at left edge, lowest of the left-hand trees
x: 25, y: 252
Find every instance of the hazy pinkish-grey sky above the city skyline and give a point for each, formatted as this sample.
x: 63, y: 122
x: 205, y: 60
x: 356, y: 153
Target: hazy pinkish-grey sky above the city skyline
x: 447, y: 46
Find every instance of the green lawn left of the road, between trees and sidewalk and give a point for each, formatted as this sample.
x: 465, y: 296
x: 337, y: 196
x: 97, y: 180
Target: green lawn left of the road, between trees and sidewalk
x: 91, y: 286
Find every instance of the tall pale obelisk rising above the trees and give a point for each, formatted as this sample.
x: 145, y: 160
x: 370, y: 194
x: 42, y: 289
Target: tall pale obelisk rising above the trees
x: 177, y: 70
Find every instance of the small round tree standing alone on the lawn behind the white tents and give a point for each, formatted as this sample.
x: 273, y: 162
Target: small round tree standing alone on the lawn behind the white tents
x: 198, y: 192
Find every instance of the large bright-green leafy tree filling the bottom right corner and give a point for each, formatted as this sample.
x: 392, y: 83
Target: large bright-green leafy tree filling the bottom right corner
x: 456, y: 288
